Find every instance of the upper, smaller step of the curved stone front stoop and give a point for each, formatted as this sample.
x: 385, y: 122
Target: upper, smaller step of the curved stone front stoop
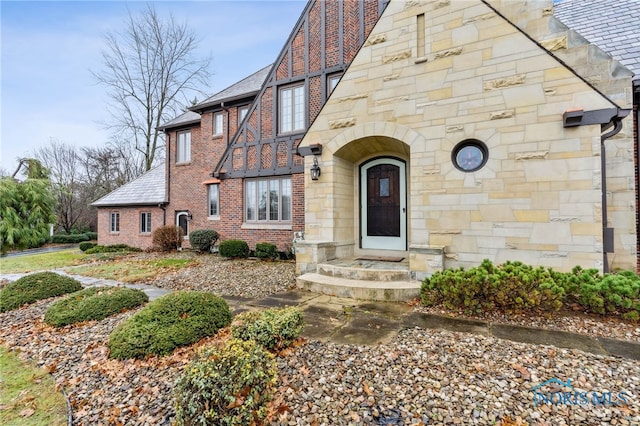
x: 365, y: 270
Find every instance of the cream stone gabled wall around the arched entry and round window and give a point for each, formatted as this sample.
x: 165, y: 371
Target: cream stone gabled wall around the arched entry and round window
x: 538, y: 198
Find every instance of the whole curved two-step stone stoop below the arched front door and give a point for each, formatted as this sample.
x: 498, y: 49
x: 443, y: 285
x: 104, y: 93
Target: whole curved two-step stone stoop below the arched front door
x: 379, y: 281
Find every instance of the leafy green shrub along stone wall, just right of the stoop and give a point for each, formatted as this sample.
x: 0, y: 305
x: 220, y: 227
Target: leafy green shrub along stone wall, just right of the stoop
x: 512, y: 287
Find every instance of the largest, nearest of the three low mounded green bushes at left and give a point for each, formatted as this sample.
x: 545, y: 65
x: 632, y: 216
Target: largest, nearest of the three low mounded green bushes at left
x: 177, y: 319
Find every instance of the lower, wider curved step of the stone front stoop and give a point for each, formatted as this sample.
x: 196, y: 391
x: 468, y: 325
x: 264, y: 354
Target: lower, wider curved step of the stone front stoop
x: 390, y: 291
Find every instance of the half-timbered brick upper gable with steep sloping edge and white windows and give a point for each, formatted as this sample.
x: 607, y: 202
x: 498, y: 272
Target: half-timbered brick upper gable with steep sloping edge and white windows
x: 321, y: 46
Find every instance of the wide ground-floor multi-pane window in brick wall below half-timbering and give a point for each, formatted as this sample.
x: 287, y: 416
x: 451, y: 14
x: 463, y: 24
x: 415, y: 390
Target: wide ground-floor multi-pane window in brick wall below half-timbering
x: 268, y: 200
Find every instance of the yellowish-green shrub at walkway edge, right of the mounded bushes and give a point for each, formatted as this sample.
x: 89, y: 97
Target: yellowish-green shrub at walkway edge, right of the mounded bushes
x: 274, y: 328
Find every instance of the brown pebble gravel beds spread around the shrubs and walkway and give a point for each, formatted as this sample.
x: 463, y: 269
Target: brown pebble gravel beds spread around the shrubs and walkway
x: 418, y: 377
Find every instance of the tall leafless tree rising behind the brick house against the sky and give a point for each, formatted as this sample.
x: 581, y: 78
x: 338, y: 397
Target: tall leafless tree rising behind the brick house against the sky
x: 151, y: 71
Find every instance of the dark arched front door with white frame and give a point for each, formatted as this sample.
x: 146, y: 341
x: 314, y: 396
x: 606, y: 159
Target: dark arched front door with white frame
x: 383, y: 204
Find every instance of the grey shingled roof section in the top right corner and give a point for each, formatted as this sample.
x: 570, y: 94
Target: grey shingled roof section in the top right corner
x: 612, y: 25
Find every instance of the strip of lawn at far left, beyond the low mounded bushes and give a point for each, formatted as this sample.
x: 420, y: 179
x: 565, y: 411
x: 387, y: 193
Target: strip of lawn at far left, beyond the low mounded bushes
x: 42, y: 261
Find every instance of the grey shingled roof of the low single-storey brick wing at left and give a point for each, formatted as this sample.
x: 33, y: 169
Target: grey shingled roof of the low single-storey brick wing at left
x: 148, y: 189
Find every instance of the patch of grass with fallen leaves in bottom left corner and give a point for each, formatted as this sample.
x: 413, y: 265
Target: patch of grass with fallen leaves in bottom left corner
x: 27, y: 394
